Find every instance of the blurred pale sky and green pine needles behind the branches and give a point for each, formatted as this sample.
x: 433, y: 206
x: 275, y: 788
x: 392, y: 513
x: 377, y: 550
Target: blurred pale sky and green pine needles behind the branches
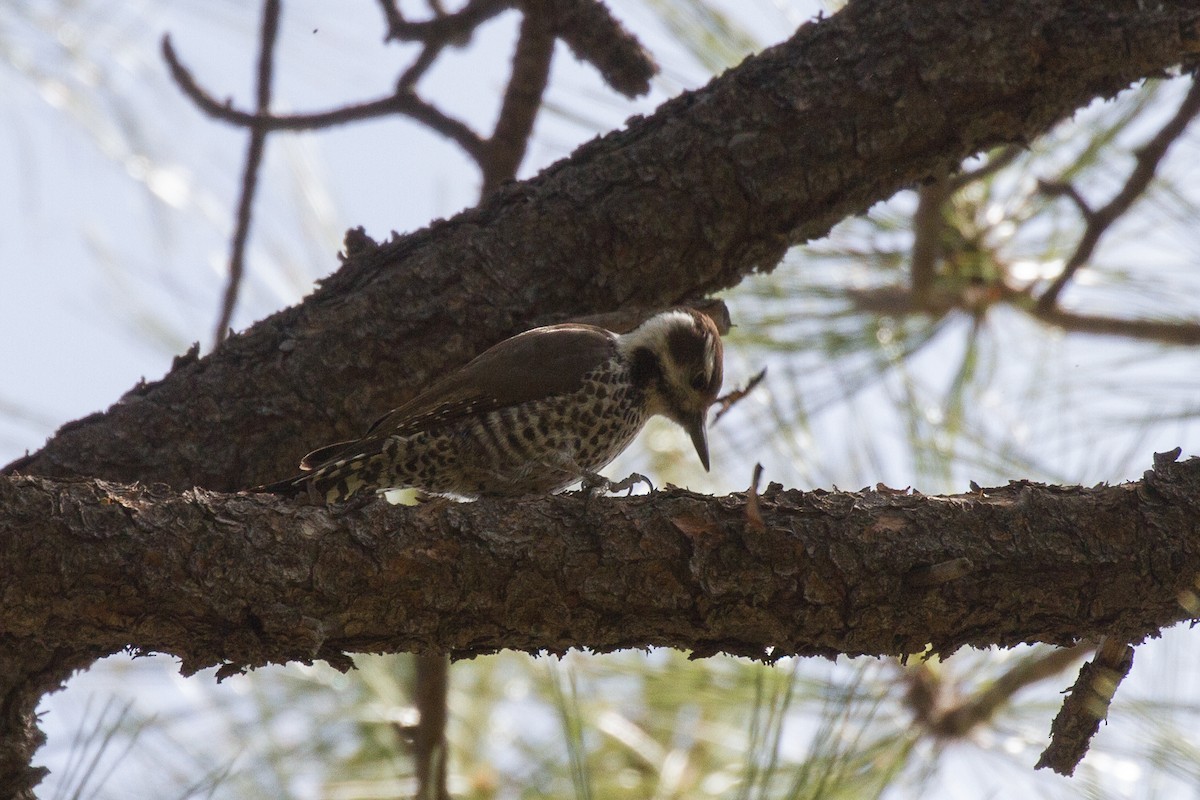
x: 907, y: 348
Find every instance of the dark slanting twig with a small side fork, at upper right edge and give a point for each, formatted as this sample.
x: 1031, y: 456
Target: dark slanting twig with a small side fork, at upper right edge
x: 1101, y: 220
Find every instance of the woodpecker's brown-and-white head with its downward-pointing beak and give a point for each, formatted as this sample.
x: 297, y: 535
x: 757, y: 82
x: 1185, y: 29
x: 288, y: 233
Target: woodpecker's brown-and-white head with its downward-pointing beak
x: 676, y: 358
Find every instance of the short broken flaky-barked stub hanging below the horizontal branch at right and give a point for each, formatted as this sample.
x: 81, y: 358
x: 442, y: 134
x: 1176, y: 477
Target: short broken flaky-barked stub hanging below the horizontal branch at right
x: 1085, y: 708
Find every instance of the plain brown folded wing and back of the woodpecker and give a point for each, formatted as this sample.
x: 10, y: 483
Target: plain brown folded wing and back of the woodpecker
x: 541, y: 363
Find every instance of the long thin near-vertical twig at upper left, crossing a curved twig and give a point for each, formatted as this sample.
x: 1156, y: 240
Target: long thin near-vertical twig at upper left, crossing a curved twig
x: 255, y: 149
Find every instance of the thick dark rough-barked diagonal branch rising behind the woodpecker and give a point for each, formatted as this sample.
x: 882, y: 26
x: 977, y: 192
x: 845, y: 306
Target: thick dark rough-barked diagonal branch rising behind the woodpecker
x: 716, y: 185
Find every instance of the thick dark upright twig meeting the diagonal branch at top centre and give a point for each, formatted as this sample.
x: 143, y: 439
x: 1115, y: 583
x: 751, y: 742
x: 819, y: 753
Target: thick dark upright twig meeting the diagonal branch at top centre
x: 523, y: 99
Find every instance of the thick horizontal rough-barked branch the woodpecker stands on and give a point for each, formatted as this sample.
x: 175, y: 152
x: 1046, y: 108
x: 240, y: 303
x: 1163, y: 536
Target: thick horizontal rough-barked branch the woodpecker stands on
x: 89, y: 569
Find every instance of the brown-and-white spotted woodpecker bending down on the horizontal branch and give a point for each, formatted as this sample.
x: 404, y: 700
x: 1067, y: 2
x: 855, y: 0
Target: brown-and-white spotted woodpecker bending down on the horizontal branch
x: 532, y: 416
